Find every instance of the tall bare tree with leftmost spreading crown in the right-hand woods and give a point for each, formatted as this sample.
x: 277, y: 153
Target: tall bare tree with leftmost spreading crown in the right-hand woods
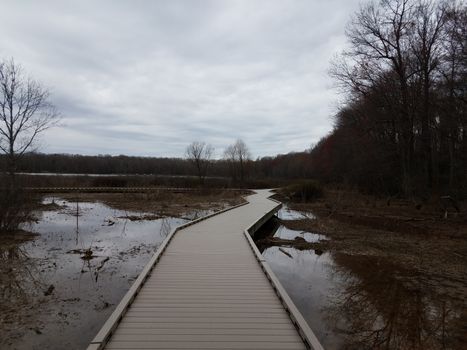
x: 379, y: 35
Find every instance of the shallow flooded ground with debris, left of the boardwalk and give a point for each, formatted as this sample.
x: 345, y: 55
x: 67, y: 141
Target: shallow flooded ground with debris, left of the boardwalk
x: 58, y: 288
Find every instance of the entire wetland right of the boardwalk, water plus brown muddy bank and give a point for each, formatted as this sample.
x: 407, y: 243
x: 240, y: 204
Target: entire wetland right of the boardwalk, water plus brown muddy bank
x: 368, y: 275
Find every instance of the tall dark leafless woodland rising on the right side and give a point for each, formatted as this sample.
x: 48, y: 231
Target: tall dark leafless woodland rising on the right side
x: 403, y: 128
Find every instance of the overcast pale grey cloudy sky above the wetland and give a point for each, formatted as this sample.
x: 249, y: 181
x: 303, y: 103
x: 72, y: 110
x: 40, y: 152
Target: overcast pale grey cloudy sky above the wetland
x: 149, y: 77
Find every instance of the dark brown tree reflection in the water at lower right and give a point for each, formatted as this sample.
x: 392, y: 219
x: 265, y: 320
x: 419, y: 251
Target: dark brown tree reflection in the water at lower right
x: 380, y: 305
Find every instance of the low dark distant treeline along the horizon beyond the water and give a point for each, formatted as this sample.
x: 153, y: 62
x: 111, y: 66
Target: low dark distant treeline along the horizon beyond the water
x: 288, y: 166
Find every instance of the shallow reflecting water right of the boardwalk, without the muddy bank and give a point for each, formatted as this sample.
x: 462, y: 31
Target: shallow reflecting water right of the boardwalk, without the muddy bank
x: 364, y: 301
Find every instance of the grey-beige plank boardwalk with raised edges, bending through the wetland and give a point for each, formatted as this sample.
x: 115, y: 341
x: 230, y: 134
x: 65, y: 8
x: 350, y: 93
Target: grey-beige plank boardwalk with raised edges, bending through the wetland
x: 208, y: 287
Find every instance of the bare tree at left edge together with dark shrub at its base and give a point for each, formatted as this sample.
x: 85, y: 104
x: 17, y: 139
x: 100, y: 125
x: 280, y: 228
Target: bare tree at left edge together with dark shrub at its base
x: 25, y: 112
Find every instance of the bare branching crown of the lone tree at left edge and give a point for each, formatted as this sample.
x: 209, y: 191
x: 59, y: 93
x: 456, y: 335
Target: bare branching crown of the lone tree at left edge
x: 25, y: 112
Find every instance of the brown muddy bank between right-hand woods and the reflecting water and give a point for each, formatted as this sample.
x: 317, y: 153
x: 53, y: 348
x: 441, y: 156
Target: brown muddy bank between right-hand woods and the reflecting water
x: 414, y: 236
